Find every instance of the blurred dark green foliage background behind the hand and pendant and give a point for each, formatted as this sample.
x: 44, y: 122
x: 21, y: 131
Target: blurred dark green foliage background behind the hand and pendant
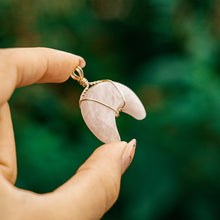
x: 168, y: 52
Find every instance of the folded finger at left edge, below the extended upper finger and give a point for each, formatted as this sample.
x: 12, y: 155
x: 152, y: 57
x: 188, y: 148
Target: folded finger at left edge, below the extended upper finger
x: 8, y: 163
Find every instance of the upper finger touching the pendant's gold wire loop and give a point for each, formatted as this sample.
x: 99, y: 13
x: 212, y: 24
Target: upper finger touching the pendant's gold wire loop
x: 25, y: 66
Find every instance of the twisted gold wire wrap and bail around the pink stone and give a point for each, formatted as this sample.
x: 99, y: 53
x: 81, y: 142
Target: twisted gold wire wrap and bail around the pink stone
x: 85, y: 83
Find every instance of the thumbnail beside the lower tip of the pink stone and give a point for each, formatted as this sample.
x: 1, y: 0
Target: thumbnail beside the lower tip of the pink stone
x: 128, y: 155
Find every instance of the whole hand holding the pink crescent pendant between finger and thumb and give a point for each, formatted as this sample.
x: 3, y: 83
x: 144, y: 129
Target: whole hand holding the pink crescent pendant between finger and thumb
x: 95, y: 186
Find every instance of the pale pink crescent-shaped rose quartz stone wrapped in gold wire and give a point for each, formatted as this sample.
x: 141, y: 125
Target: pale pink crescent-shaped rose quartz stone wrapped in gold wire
x: 101, y: 119
